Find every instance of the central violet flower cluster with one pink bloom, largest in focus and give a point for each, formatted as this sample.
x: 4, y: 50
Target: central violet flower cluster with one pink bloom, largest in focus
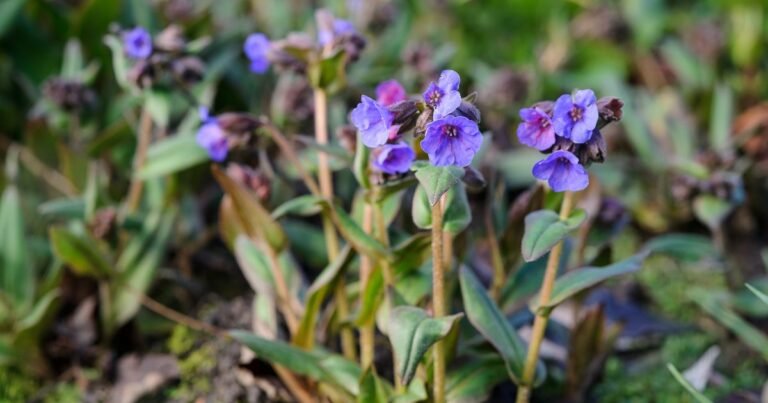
x: 448, y: 122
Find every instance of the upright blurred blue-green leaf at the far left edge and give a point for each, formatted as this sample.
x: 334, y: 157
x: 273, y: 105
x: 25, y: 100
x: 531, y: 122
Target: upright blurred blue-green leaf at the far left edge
x: 17, y: 278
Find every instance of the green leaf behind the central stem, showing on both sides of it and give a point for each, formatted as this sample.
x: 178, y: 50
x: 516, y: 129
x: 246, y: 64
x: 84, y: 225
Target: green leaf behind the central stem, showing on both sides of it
x: 457, y: 214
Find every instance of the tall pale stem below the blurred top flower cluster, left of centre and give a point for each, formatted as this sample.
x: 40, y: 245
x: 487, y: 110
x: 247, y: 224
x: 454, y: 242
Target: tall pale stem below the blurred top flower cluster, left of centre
x: 331, y: 238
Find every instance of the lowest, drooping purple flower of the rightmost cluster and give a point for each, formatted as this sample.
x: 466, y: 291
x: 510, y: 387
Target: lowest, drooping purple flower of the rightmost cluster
x: 562, y: 171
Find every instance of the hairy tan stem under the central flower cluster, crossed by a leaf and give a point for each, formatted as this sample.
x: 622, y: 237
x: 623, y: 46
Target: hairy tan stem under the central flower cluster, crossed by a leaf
x: 438, y: 299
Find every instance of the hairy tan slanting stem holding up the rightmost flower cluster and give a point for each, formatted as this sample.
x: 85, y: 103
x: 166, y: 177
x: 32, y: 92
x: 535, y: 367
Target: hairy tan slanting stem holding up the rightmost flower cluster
x: 540, y: 323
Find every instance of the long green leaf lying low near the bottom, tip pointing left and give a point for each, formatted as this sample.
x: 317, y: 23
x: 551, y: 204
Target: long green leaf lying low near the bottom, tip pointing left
x: 316, y: 365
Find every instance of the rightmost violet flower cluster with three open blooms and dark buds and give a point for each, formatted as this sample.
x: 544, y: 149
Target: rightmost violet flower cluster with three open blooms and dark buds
x: 568, y: 130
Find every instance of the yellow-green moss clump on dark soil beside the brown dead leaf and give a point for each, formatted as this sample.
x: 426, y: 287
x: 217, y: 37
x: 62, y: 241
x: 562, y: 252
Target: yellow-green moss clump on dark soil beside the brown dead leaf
x: 196, y: 363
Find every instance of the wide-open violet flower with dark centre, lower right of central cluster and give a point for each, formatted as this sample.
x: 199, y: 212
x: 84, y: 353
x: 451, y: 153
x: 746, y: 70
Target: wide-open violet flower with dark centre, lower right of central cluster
x: 452, y: 140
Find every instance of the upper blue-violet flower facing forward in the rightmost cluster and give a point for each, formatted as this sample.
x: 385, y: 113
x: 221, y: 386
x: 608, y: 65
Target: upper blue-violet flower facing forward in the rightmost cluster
x: 575, y: 116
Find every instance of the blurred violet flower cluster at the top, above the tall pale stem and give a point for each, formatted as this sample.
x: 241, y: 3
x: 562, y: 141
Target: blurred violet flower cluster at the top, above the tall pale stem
x: 293, y: 52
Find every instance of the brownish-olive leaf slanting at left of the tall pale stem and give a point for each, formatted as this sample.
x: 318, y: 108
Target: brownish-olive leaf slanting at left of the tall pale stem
x: 256, y: 220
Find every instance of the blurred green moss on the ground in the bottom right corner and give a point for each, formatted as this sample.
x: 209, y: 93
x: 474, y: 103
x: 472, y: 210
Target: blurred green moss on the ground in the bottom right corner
x: 650, y: 381
